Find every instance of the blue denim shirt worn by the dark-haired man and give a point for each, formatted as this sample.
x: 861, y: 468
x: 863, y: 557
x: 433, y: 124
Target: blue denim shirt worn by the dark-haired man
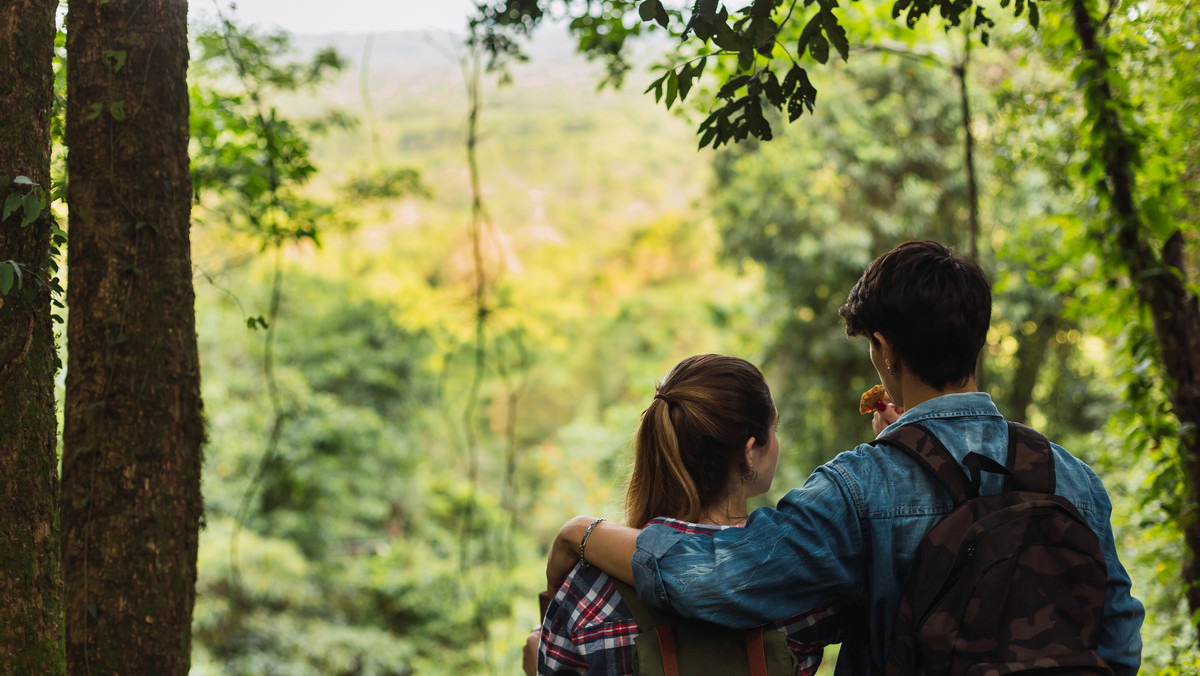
x: 851, y: 534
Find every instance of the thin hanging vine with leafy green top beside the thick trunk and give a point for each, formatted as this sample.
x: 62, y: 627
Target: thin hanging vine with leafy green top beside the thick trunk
x: 269, y: 160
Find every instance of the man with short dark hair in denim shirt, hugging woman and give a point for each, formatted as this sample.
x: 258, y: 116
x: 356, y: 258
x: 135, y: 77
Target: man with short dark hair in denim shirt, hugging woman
x: 851, y: 533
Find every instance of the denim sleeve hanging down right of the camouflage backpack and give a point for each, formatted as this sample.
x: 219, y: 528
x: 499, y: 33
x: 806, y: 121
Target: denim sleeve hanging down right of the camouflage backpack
x: 1124, y: 615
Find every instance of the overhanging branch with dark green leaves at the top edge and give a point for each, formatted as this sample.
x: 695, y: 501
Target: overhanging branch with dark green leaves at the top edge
x: 748, y: 38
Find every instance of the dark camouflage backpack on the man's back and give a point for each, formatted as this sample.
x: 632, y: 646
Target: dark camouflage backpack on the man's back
x: 1006, y: 584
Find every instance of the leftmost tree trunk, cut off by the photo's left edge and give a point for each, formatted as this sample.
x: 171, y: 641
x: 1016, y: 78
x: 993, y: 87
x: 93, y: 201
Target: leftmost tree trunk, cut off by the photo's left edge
x: 31, y: 575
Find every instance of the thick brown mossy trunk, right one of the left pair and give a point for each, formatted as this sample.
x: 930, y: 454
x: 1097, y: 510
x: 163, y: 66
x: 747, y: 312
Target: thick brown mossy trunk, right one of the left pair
x: 131, y: 459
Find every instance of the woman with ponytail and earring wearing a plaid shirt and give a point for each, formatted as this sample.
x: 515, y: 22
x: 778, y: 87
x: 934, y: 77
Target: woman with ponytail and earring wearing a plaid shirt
x: 706, y: 445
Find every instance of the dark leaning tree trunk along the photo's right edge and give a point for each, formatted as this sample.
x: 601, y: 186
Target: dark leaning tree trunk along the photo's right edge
x: 1159, y: 279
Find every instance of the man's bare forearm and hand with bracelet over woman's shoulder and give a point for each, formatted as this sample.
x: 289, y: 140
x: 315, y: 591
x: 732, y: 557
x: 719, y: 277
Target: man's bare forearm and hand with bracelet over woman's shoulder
x: 610, y: 548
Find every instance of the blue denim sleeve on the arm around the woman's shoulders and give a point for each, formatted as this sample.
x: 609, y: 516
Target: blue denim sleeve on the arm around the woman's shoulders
x: 784, y: 563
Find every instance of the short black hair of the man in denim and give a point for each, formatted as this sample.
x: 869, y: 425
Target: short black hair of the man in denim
x: 933, y: 306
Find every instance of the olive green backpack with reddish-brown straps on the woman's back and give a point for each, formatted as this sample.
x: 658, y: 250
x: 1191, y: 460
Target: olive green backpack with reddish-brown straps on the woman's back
x: 671, y: 645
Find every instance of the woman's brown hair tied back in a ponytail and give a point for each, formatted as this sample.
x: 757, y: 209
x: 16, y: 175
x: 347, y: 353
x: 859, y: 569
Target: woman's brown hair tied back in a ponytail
x: 697, y: 427
